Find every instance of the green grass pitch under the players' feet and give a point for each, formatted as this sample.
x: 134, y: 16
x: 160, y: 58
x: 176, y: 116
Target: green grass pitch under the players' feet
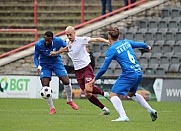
x: 32, y: 115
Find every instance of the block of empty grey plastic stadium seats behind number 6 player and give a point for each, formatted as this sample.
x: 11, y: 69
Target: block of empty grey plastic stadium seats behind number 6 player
x: 163, y: 34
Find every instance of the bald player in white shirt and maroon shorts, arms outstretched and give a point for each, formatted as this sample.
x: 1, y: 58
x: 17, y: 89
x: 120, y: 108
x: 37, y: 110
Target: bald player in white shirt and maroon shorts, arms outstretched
x: 83, y: 70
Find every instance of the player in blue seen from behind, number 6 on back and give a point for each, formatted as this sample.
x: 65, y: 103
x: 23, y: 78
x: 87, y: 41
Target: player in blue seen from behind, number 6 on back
x: 127, y: 83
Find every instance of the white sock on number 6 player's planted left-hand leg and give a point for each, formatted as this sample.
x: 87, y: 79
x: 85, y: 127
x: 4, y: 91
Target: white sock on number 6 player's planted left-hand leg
x: 118, y: 105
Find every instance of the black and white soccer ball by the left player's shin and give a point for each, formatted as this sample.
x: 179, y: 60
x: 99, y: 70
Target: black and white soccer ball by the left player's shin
x: 46, y: 92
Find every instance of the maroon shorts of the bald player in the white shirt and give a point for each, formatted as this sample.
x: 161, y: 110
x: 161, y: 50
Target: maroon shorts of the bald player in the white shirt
x: 84, y: 75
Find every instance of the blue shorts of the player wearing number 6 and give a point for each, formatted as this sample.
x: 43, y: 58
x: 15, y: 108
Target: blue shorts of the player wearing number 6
x: 127, y: 83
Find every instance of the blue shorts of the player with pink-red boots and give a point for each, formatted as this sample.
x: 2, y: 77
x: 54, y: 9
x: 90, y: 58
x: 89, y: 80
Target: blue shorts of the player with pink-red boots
x: 57, y: 68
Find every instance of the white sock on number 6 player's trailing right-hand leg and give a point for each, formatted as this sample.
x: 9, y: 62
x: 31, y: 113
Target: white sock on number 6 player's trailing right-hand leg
x: 139, y: 98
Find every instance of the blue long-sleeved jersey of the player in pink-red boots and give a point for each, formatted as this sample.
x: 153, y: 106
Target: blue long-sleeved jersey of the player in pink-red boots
x: 42, y: 53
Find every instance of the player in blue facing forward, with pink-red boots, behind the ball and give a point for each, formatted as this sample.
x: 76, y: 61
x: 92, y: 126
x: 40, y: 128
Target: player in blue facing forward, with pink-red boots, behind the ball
x: 47, y: 64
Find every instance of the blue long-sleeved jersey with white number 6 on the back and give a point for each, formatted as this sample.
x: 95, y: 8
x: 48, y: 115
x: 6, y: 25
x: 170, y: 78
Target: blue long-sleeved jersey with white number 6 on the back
x: 122, y: 51
